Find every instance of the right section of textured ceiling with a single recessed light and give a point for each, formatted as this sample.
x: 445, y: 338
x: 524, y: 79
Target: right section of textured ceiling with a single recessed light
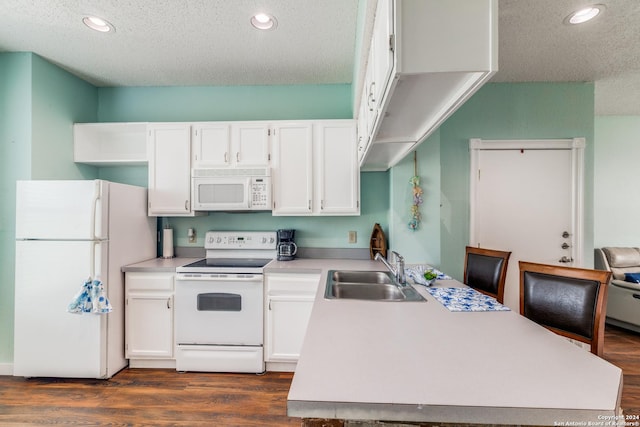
x: 536, y: 46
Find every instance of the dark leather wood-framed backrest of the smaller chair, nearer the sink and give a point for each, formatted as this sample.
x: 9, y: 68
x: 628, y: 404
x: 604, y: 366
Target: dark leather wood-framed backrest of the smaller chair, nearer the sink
x: 485, y: 270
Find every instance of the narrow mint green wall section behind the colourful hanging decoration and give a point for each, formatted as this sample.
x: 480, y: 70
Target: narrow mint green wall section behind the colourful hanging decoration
x: 423, y: 244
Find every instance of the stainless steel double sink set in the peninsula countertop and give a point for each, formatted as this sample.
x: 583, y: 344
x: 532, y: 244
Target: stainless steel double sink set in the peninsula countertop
x: 368, y: 285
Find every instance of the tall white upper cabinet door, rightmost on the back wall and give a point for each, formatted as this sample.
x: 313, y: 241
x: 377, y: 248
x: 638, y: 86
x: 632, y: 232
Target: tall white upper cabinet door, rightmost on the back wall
x: 338, y: 177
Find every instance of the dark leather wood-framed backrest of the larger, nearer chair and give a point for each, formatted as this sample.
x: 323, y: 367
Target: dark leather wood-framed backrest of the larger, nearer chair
x: 566, y: 300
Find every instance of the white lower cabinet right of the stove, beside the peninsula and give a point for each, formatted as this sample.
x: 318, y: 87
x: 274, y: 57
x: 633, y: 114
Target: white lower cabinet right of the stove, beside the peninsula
x: 288, y: 303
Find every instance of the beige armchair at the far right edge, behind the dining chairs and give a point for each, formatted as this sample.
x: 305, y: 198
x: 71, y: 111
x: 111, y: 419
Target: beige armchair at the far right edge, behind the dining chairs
x: 623, y: 305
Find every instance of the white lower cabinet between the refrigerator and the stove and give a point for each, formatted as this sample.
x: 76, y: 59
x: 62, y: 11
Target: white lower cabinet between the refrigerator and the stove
x: 149, y: 322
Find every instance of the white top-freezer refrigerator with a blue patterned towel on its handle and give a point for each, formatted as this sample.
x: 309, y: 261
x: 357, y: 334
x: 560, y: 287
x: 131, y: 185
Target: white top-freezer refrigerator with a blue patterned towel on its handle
x: 66, y: 232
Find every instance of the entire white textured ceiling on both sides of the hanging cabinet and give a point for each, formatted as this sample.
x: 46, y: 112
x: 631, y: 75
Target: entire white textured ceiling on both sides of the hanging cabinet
x: 210, y: 42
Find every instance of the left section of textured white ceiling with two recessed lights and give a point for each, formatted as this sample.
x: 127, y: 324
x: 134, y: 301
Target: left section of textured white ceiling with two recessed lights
x: 188, y: 42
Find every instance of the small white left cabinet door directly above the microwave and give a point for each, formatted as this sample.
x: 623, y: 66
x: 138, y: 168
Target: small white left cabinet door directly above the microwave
x: 211, y: 145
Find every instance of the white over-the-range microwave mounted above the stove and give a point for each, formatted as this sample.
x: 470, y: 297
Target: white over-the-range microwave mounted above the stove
x: 231, y: 189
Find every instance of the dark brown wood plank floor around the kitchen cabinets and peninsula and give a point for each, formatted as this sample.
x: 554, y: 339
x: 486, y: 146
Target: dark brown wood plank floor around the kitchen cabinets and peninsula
x: 143, y: 397
